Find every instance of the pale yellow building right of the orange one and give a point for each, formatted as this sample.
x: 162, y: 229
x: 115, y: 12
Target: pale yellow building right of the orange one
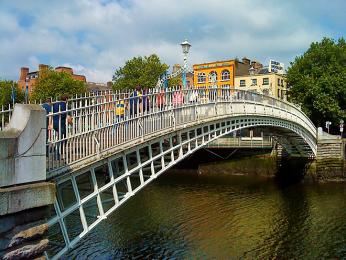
x: 271, y: 84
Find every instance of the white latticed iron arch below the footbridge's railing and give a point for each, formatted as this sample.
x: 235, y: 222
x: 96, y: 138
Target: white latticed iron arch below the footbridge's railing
x: 101, y: 188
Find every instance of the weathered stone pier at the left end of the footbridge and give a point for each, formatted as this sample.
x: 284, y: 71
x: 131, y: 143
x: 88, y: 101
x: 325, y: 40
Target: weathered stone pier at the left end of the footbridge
x: 24, y: 195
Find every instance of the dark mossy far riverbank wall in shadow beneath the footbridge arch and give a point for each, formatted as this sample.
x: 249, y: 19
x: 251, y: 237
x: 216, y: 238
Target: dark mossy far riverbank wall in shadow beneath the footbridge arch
x: 259, y: 163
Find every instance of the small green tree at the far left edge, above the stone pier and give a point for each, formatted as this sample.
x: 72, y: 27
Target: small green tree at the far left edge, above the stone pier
x: 6, y: 93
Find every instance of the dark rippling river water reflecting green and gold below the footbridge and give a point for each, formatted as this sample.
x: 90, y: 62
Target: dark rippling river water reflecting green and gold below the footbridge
x: 190, y: 216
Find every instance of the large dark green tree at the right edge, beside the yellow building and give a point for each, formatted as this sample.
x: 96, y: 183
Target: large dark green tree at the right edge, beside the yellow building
x: 318, y: 81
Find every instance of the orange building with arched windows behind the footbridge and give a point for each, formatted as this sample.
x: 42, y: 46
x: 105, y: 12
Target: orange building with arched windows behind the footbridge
x: 220, y: 73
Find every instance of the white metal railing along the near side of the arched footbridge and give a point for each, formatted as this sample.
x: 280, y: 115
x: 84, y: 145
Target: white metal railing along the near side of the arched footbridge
x: 89, y: 125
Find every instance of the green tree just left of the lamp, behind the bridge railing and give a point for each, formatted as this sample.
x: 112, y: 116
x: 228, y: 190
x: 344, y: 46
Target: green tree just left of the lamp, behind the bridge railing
x: 143, y: 71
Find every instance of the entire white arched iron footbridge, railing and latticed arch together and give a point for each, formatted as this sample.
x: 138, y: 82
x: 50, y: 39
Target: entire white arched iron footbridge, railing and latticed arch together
x: 117, y: 143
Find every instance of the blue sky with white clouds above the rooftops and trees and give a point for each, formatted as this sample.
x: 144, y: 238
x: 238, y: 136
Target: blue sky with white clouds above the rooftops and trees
x: 95, y: 37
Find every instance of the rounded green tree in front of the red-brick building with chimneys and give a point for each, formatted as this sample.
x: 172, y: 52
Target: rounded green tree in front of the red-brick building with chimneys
x: 53, y: 84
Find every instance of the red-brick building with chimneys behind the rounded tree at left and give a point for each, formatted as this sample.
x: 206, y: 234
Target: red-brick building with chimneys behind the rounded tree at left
x: 28, y: 79
